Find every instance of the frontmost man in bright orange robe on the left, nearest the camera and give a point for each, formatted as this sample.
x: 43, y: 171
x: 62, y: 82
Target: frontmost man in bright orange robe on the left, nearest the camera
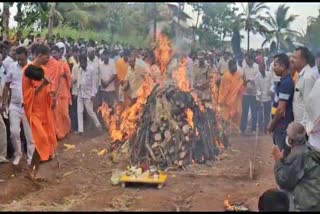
x: 37, y: 105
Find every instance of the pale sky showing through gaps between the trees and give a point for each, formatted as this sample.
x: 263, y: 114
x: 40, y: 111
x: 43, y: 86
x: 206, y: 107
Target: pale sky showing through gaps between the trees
x: 304, y: 10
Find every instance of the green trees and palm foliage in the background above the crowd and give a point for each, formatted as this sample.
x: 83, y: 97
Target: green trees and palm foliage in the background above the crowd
x: 131, y: 22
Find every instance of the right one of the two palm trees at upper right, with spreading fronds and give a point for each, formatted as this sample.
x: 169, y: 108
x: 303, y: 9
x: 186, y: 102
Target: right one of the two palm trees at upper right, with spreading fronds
x: 280, y: 27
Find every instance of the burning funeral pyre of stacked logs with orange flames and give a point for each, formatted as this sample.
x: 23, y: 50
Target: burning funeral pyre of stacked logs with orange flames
x: 168, y: 125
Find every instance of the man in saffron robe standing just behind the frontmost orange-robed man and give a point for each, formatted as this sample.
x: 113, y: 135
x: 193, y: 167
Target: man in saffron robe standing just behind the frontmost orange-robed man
x: 62, y: 97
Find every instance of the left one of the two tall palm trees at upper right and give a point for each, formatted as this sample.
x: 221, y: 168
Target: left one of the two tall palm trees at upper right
x: 253, y: 19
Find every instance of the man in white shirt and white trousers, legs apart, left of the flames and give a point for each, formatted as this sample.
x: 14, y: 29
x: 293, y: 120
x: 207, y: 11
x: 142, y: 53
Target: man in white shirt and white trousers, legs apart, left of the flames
x: 87, y: 90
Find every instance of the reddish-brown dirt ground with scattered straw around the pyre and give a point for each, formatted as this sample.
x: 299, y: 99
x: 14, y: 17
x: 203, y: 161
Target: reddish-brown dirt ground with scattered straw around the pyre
x: 82, y: 183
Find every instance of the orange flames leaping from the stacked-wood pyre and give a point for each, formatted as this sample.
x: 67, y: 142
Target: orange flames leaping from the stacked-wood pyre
x: 122, y: 125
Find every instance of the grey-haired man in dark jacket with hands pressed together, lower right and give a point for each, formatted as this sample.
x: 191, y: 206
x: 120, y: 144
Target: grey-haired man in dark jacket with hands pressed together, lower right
x: 299, y: 172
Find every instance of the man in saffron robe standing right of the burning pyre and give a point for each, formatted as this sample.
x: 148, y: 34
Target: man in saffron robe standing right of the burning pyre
x: 230, y: 94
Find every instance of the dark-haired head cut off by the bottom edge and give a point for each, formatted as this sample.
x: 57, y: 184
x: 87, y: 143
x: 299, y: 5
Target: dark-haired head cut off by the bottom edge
x: 273, y: 200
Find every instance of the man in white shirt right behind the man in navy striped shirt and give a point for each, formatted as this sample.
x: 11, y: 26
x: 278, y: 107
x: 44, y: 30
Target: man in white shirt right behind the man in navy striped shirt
x: 307, y: 78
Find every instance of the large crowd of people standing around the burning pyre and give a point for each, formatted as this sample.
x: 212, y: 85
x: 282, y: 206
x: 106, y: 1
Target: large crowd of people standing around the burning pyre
x: 47, y: 85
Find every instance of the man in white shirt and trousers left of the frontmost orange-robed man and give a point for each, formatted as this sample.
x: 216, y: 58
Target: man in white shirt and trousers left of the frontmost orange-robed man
x: 16, y: 110
